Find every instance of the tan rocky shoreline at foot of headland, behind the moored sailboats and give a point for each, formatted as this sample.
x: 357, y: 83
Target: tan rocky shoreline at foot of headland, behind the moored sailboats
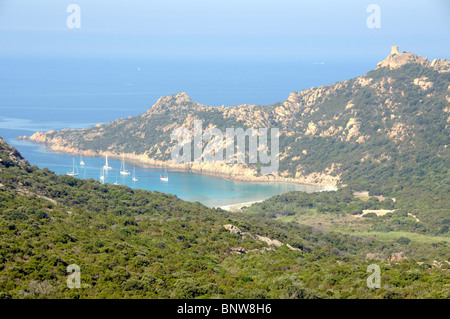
x: 235, y: 172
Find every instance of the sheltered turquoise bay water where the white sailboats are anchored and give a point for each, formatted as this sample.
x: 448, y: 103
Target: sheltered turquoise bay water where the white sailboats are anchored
x: 208, y: 190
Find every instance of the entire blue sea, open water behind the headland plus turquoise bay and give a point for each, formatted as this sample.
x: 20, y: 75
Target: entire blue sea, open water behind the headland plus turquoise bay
x: 44, y: 93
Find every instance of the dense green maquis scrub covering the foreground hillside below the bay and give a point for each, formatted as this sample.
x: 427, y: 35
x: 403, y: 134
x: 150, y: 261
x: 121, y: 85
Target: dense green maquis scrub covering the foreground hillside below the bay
x: 139, y: 244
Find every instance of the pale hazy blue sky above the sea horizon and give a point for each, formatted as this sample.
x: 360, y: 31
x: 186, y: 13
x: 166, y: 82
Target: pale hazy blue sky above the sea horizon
x: 253, y: 29
